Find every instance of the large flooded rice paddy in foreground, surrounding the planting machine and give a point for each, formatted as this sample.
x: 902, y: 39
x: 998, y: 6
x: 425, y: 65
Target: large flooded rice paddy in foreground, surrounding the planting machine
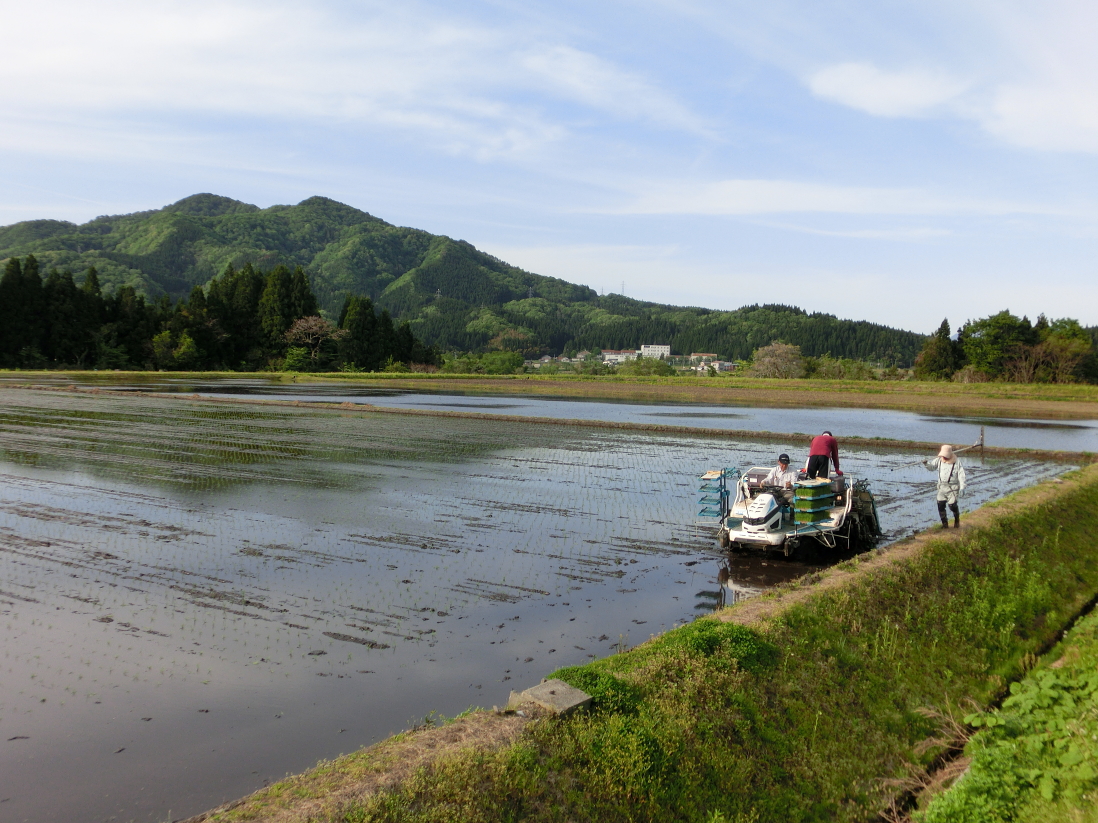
x: 200, y: 599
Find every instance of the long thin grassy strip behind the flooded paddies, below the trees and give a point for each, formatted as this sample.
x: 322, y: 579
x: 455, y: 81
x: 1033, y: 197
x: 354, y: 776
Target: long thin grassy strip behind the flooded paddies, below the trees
x: 972, y: 400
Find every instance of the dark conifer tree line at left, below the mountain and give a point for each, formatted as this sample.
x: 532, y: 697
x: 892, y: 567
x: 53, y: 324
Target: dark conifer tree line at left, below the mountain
x: 247, y: 320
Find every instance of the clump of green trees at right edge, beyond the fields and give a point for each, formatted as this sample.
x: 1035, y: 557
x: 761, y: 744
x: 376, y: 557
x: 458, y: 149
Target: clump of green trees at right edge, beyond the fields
x: 1009, y: 348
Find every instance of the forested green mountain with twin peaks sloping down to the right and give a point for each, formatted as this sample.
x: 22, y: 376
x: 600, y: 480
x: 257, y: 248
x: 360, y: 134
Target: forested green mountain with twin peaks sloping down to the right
x: 454, y: 296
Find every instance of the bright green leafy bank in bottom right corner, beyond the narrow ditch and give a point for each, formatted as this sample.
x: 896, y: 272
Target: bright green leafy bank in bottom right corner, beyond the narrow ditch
x: 1036, y: 760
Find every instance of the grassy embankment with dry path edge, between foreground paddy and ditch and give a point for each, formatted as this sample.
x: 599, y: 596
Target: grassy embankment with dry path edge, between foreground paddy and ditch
x: 809, y: 705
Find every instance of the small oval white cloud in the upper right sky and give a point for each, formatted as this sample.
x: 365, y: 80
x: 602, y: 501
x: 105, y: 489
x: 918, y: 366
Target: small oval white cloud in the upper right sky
x: 909, y: 94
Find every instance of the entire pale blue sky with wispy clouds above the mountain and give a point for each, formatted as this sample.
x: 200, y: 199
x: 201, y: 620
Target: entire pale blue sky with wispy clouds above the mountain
x: 892, y: 162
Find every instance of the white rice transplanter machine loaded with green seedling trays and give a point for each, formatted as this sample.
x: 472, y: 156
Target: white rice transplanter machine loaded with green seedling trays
x: 839, y: 512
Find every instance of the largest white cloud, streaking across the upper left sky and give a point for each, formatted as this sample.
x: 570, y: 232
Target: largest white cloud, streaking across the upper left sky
x: 465, y: 87
